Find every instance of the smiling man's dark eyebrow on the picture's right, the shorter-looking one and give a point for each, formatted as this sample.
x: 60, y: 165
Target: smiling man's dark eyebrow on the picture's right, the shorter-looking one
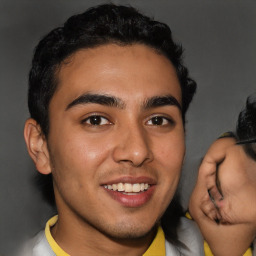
x: 160, y: 101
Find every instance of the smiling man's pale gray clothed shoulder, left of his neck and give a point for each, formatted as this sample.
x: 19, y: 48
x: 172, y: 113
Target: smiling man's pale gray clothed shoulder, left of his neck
x: 37, y: 246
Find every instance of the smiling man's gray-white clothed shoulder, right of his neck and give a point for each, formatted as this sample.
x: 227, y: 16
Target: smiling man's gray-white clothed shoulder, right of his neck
x: 191, y: 239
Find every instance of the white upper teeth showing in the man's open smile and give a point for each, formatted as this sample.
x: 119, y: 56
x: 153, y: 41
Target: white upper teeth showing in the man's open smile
x: 128, y: 187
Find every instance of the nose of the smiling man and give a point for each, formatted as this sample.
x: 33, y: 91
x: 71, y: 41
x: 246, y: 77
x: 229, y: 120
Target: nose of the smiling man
x: 133, y: 146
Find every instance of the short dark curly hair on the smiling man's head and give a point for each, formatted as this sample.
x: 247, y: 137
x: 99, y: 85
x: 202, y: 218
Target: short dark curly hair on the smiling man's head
x: 97, y: 26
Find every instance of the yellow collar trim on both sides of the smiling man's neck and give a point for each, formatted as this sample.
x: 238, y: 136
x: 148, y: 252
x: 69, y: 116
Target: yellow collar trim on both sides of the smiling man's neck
x: 157, y: 247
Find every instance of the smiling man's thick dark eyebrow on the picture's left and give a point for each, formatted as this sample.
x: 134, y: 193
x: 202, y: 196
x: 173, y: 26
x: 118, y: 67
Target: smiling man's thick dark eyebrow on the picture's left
x: 102, y: 99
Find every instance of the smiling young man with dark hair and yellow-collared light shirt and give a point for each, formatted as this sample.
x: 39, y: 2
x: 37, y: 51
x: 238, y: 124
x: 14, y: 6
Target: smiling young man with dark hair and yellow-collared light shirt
x: 107, y: 96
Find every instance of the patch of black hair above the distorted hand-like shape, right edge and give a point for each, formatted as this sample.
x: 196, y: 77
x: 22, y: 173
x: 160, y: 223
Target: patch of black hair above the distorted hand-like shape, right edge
x: 246, y: 127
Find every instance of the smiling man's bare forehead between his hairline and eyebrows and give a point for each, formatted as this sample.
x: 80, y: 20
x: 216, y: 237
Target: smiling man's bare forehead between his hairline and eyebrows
x: 129, y: 72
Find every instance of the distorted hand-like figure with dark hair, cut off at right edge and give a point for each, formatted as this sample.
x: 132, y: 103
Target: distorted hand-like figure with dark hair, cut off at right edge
x: 226, y: 211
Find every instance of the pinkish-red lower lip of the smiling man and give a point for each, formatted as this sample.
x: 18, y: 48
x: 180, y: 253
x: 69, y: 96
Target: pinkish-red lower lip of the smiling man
x: 132, y: 201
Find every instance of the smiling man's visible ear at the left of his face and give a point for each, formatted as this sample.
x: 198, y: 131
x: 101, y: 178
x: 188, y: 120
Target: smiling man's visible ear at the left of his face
x: 37, y: 146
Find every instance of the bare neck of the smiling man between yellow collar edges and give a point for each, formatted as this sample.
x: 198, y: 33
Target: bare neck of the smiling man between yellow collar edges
x: 77, y: 237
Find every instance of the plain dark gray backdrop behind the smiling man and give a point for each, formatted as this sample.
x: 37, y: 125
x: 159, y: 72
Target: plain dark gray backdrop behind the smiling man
x: 219, y: 38
